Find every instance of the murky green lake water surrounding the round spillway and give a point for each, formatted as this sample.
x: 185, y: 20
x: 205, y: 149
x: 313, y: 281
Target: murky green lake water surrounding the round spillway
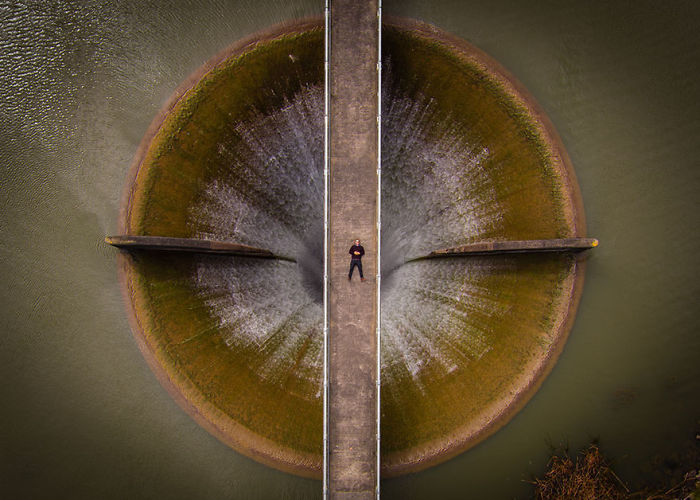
x: 84, y: 417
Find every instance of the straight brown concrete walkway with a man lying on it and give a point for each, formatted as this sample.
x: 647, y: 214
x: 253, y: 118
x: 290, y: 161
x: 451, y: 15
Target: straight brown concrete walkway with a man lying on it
x: 352, y: 410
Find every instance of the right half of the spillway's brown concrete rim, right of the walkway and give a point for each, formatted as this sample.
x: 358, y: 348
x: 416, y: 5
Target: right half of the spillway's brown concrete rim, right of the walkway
x: 523, y: 388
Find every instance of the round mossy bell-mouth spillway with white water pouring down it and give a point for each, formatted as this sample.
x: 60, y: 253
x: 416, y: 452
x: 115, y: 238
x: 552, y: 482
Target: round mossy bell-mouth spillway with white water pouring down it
x: 236, y: 156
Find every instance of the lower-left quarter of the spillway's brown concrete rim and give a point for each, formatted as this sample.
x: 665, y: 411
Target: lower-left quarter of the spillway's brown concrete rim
x: 191, y: 400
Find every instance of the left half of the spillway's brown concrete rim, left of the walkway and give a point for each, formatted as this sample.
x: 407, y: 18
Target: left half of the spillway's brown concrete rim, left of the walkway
x: 189, y: 398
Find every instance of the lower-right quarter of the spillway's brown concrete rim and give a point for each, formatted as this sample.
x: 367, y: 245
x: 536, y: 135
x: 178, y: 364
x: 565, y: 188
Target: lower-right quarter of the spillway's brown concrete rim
x: 501, y: 413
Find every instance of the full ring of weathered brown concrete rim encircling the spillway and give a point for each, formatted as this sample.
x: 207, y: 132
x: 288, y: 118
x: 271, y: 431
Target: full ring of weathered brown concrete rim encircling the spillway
x: 424, y: 456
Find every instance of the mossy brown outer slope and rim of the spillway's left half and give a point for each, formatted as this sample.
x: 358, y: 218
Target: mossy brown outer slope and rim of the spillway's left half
x: 276, y: 424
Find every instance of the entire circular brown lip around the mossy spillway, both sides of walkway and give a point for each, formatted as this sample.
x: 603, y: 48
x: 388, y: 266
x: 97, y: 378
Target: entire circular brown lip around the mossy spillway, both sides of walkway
x: 457, y: 438
